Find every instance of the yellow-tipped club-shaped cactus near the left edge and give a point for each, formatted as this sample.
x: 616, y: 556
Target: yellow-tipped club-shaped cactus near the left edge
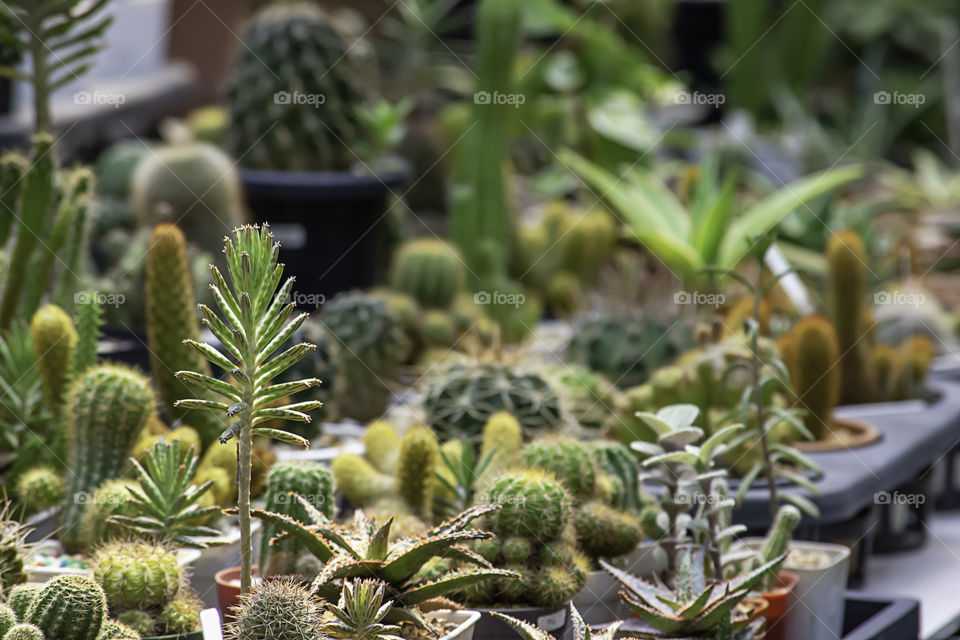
x: 55, y: 343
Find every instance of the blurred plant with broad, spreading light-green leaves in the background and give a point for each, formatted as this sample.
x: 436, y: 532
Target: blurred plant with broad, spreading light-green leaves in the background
x: 707, y: 231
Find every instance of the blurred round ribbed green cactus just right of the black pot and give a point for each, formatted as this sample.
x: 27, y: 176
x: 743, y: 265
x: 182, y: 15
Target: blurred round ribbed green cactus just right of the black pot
x: 430, y: 270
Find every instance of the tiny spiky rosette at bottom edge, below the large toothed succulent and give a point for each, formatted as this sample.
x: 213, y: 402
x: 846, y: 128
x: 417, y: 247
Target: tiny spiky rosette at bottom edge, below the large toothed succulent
x: 359, y: 613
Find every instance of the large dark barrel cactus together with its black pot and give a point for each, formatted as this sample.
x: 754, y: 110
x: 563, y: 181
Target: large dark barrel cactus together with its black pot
x: 295, y: 127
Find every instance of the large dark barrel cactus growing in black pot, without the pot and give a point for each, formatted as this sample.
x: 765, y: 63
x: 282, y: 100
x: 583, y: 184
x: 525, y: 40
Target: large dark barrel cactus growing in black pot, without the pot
x: 269, y: 127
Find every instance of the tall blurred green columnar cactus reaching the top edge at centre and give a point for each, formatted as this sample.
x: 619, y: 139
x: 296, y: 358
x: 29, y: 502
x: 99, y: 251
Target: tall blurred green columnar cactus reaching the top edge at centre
x: 480, y: 219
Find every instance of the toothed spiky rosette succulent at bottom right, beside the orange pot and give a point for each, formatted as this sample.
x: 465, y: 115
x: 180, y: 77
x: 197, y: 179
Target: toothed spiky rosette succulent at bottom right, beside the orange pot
x: 697, y: 608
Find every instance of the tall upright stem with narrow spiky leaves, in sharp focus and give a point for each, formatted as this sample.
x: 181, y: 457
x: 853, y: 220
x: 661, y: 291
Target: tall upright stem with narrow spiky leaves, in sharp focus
x: 256, y: 326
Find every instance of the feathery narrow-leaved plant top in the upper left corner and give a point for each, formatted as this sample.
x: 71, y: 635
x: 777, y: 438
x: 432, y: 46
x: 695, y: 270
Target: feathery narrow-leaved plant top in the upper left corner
x: 61, y: 38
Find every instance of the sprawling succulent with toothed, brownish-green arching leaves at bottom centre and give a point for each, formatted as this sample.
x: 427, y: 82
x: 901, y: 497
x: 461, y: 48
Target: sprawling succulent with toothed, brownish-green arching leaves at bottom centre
x: 364, y: 549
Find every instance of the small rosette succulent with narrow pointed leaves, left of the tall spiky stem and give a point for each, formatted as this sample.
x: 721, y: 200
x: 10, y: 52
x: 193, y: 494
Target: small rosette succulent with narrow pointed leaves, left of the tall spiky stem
x: 167, y: 503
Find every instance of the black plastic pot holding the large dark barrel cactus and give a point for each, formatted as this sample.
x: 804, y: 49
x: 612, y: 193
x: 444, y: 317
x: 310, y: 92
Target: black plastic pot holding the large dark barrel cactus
x: 333, y: 227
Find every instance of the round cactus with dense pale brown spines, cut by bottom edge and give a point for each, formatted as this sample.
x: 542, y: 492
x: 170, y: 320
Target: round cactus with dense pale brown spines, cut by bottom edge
x: 277, y: 609
